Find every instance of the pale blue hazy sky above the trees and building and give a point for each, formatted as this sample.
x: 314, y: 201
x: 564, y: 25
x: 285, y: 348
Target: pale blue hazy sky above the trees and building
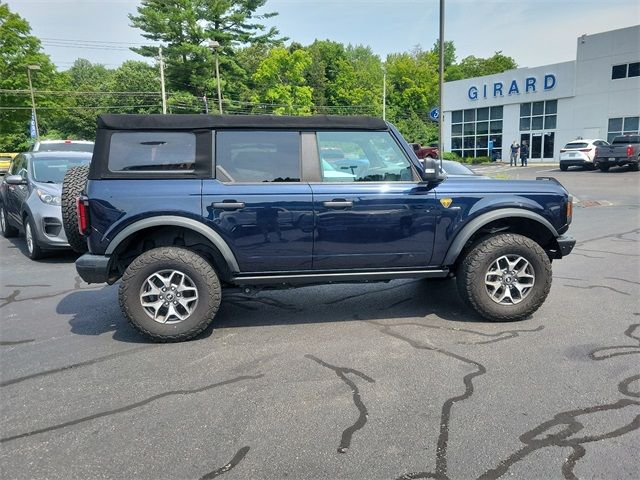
x: 533, y: 32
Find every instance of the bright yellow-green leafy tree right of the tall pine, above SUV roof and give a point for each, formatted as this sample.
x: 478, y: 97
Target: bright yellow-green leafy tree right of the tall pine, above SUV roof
x: 283, y: 84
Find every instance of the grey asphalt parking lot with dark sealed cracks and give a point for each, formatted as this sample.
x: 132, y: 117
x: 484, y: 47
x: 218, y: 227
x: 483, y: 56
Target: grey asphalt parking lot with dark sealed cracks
x: 384, y: 381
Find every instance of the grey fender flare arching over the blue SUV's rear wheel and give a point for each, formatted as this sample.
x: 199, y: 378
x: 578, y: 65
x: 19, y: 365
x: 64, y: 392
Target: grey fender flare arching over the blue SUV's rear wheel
x: 176, y: 221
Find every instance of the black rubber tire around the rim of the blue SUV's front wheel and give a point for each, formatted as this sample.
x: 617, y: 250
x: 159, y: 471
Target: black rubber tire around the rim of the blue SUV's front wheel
x: 475, y: 264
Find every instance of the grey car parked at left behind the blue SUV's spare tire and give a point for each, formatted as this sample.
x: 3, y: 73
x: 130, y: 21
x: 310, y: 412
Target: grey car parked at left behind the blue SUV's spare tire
x: 30, y: 198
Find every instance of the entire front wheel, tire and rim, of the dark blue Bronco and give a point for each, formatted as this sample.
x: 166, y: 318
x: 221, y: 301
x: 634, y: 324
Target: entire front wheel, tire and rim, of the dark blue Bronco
x: 505, y: 277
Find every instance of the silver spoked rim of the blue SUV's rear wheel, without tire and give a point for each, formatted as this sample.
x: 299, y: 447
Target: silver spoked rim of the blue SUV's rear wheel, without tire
x: 169, y: 296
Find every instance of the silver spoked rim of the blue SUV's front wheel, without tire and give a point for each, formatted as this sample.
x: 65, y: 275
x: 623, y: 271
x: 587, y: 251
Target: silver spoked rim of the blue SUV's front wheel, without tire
x: 509, y: 279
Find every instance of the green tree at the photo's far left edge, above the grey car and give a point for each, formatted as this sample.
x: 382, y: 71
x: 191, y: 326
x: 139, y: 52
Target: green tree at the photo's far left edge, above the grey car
x: 18, y: 49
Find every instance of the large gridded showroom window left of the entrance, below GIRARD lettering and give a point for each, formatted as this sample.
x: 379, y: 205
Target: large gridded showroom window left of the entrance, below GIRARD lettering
x: 472, y: 129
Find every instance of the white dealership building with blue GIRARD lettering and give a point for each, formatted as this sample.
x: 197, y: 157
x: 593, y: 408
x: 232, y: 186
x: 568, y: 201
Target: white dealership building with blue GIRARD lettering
x: 595, y: 96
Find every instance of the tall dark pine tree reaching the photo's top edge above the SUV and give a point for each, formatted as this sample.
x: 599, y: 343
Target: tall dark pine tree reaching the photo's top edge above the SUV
x: 184, y: 26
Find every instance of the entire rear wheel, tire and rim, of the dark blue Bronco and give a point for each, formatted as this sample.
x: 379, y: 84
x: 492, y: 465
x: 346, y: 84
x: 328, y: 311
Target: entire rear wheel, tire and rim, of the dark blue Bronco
x: 170, y: 294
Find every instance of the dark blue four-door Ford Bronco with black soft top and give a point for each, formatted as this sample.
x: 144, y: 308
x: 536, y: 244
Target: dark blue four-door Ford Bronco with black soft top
x: 183, y: 207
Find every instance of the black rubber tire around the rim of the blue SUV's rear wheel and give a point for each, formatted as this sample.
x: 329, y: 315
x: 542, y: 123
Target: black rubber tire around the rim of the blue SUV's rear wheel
x: 183, y: 260
